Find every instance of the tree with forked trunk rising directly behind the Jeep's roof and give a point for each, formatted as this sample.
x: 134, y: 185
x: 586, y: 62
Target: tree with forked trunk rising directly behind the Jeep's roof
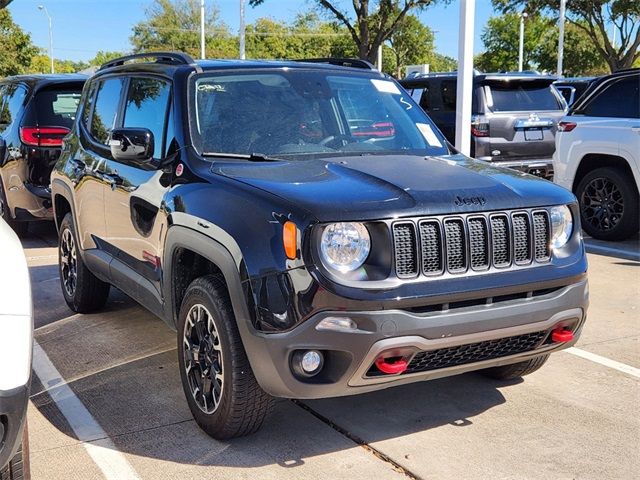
x: 372, y: 22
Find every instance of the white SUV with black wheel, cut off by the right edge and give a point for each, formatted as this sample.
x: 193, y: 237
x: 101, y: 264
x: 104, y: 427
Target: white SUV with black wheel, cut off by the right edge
x: 598, y: 155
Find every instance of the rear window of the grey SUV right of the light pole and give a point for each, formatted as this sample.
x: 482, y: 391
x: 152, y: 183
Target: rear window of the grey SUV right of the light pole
x: 522, y: 97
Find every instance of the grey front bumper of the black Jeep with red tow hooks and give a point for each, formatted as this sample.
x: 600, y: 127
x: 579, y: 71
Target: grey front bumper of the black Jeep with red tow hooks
x: 349, y: 355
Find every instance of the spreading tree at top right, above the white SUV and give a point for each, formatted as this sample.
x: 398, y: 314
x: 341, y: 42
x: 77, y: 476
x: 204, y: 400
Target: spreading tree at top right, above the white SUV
x: 594, y: 18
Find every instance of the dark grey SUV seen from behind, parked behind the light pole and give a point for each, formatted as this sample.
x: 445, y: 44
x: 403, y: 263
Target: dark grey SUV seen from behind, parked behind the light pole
x: 514, y: 116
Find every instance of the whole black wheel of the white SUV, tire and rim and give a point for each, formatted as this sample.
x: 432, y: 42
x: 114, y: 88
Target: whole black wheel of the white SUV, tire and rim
x: 608, y: 204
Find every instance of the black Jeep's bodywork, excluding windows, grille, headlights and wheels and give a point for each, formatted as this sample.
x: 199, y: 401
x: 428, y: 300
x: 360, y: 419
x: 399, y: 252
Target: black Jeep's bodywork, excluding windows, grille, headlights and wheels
x: 149, y: 227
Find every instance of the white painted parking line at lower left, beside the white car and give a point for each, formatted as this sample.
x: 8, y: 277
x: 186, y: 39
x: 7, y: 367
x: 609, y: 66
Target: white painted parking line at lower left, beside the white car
x: 97, y: 443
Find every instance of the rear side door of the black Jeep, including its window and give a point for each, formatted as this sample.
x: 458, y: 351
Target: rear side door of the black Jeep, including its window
x: 100, y: 113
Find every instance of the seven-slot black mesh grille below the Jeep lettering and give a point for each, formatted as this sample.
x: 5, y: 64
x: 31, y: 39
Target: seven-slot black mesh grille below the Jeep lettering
x: 433, y: 246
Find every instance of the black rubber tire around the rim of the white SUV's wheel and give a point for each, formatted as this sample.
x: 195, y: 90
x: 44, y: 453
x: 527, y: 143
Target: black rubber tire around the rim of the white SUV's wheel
x: 630, y: 222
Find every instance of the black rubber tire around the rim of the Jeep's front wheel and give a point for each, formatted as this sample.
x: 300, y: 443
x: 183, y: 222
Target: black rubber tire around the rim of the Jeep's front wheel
x: 249, y: 405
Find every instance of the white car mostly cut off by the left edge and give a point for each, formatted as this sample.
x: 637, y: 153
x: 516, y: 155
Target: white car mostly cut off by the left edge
x: 16, y: 337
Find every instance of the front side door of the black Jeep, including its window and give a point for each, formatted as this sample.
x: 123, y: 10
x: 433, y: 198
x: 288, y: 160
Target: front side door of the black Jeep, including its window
x: 133, y: 198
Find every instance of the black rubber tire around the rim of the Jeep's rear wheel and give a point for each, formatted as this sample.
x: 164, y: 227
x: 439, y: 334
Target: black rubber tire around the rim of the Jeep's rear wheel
x: 91, y: 293
